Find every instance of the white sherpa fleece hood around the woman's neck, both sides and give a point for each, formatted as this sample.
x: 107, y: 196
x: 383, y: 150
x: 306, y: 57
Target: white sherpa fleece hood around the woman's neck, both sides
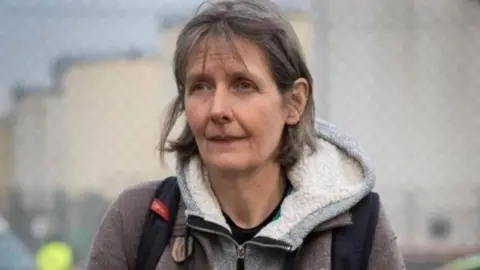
x: 325, y: 184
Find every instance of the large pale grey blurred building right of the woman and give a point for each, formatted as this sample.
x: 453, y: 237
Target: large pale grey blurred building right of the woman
x: 401, y: 76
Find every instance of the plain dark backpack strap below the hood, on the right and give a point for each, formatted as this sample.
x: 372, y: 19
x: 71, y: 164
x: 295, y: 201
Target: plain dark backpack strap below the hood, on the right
x: 352, y: 245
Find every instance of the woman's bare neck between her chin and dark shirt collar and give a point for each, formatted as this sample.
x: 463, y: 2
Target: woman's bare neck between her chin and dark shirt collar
x: 249, y: 198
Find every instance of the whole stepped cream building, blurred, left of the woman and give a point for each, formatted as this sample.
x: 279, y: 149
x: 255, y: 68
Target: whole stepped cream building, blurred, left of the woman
x: 77, y: 145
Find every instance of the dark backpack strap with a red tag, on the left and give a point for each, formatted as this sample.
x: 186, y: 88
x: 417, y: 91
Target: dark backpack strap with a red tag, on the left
x: 158, y: 225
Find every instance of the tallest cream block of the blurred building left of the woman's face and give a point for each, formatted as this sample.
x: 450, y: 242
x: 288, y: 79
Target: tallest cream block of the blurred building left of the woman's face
x: 111, y: 112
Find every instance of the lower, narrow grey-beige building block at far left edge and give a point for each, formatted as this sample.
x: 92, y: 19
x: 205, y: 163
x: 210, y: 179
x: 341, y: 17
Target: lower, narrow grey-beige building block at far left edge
x: 30, y: 136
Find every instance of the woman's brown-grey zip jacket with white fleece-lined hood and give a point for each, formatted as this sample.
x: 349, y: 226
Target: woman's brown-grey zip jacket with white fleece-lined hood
x: 326, y: 185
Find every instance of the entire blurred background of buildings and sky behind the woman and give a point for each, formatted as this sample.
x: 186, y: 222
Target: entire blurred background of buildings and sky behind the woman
x: 84, y: 85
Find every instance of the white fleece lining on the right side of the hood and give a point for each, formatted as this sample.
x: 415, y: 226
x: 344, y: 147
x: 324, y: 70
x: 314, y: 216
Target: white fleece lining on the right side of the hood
x: 319, y: 180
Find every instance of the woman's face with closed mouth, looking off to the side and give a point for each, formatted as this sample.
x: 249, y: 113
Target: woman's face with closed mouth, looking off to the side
x: 233, y: 106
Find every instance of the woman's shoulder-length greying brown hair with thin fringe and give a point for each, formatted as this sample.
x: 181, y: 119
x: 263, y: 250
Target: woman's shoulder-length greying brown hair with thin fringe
x: 263, y: 24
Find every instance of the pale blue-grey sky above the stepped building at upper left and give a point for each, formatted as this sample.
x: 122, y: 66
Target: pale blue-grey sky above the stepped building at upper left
x: 35, y: 32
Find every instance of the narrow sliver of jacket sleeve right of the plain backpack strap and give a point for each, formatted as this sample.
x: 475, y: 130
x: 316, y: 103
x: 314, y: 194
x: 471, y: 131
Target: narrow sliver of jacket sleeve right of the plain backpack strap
x: 385, y: 251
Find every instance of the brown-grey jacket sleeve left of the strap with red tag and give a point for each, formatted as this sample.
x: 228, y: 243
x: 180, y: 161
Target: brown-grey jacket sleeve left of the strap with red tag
x: 115, y: 245
